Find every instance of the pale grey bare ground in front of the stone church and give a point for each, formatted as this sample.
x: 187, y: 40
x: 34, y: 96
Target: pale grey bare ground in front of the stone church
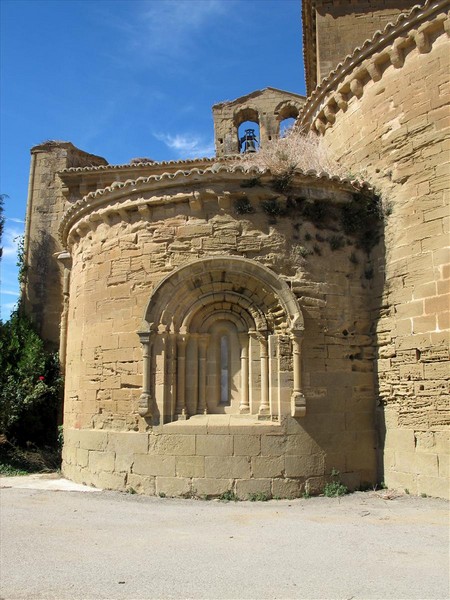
x: 58, y: 542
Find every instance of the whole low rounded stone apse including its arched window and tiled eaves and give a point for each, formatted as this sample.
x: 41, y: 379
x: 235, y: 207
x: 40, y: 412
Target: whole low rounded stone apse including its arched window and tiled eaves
x: 218, y: 334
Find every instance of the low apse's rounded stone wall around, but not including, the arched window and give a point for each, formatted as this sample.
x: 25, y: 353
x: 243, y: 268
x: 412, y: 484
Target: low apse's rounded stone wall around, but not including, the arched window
x: 118, y: 258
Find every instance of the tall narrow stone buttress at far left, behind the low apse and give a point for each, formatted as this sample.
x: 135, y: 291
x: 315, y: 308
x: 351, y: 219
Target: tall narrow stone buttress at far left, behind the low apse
x: 42, y: 295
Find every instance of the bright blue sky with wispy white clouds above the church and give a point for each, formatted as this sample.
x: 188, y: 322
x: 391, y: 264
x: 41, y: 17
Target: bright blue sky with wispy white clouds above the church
x: 129, y: 78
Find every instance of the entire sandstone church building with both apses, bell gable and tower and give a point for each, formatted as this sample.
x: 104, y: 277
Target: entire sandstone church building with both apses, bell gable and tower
x: 225, y: 331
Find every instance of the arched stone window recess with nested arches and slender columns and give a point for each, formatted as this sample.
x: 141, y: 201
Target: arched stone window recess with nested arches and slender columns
x: 221, y: 335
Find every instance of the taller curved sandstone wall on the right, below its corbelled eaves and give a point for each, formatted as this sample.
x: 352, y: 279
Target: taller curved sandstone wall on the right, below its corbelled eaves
x: 395, y: 130
